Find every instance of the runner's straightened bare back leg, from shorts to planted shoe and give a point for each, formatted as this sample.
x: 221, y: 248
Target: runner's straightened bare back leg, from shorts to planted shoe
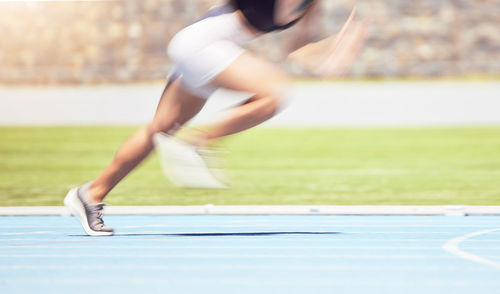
x: 176, y: 107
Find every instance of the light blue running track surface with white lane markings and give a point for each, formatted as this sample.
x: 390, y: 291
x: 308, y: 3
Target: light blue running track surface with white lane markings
x: 250, y: 254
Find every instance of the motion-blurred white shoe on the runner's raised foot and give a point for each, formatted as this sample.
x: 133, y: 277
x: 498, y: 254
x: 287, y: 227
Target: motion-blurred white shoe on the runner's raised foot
x: 186, y: 165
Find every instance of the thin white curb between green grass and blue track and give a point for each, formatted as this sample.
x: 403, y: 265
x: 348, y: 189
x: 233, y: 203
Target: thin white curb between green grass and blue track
x: 455, y: 210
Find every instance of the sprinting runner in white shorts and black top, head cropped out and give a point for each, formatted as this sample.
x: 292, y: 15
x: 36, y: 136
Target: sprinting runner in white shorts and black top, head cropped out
x: 209, y: 55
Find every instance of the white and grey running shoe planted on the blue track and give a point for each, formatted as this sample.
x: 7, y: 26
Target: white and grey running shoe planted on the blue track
x: 90, y: 216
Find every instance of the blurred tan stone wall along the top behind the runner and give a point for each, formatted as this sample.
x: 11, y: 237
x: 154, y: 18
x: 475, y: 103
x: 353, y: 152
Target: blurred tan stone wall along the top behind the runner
x: 75, y: 42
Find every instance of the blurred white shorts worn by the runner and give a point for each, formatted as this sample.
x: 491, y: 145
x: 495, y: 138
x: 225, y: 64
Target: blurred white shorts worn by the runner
x: 204, y: 49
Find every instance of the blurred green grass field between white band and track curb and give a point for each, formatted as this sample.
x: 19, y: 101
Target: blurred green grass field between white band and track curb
x: 413, y: 166
